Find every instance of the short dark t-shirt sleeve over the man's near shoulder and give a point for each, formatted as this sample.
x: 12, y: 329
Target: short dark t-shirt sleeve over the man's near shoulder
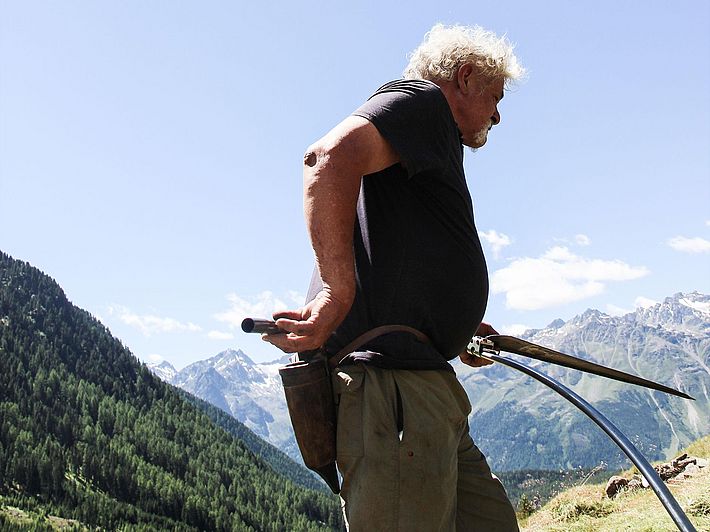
x: 414, y: 117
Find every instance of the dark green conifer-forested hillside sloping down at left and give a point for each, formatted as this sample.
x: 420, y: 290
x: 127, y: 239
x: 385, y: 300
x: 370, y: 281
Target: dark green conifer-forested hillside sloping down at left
x: 87, y: 429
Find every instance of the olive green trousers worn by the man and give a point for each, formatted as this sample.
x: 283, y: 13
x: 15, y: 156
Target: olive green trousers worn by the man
x: 406, y: 457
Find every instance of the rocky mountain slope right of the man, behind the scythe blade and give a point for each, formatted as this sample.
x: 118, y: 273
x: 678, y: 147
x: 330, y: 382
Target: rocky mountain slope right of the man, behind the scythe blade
x: 523, y: 424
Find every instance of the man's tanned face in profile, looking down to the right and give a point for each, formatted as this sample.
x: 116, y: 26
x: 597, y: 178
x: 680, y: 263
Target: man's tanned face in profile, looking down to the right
x: 480, y: 111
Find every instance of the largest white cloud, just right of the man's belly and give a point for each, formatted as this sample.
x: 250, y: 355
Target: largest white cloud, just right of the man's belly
x: 558, y: 277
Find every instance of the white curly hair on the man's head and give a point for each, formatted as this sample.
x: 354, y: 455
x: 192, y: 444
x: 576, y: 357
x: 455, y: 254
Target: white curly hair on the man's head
x: 446, y: 48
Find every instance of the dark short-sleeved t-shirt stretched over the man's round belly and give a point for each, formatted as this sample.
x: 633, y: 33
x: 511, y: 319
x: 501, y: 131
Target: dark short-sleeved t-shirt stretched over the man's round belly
x: 418, y: 258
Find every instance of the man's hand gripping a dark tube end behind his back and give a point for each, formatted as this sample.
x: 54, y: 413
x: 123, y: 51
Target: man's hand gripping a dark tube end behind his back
x: 310, y: 326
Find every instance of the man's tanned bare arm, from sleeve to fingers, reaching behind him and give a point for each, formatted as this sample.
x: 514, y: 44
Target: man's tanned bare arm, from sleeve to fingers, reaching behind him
x: 332, y: 172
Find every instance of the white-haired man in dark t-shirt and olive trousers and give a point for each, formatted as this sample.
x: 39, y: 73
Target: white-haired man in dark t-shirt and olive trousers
x: 391, y: 223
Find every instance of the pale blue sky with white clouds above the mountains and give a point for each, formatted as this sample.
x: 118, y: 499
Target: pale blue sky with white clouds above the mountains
x: 150, y: 154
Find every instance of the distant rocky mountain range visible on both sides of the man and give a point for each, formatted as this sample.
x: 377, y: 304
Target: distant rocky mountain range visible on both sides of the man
x: 519, y: 423
